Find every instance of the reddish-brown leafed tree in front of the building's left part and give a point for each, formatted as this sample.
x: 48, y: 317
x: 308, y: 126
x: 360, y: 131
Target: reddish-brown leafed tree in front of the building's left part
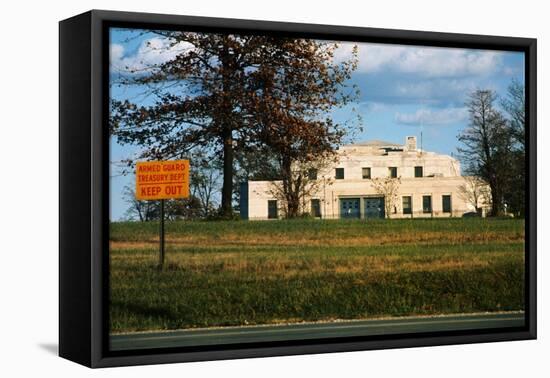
x: 293, y: 93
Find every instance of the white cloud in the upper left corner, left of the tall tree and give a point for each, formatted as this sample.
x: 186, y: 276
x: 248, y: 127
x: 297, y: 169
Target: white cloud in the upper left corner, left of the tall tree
x: 151, y: 52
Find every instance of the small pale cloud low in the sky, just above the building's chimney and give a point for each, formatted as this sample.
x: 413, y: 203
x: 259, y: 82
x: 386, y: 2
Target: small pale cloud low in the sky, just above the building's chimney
x: 427, y: 116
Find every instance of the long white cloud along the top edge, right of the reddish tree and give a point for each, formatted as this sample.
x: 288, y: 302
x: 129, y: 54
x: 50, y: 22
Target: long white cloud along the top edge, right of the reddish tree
x: 425, y: 61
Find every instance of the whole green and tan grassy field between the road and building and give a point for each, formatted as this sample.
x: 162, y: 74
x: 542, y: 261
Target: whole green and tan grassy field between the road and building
x: 238, y: 272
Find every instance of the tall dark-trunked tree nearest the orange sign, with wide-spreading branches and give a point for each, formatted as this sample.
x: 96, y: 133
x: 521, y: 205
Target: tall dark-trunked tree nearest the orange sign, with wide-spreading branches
x: 198, y: 101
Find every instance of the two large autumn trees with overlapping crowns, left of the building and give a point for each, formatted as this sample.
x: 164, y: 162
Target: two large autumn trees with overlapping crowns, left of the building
x: 244, y: 104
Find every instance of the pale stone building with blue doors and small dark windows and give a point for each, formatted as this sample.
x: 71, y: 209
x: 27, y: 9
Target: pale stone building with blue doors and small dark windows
x: 429, y: 185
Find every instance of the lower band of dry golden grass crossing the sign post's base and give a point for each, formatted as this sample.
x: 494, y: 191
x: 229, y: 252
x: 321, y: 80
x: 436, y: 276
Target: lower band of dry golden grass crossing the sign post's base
x: 294, y: 263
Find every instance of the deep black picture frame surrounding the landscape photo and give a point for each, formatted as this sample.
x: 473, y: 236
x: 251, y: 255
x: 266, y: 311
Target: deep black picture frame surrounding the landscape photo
x: 84, y: 188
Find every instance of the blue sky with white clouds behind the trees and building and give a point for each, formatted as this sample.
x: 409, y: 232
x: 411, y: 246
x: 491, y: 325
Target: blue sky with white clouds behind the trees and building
x: 405, y: 90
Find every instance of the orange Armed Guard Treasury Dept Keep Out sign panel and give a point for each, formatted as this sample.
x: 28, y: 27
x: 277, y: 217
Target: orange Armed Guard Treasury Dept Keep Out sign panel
x: 157, y: 180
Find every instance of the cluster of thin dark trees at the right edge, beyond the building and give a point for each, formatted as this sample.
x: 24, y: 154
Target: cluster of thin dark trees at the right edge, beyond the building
x: 493, y: 146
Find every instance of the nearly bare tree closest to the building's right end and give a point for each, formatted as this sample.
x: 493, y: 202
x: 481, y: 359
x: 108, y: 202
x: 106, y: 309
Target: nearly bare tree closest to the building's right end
x: 486, y: 146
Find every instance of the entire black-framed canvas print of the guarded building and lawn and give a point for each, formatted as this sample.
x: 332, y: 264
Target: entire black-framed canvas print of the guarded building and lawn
x: 233, y: 188
